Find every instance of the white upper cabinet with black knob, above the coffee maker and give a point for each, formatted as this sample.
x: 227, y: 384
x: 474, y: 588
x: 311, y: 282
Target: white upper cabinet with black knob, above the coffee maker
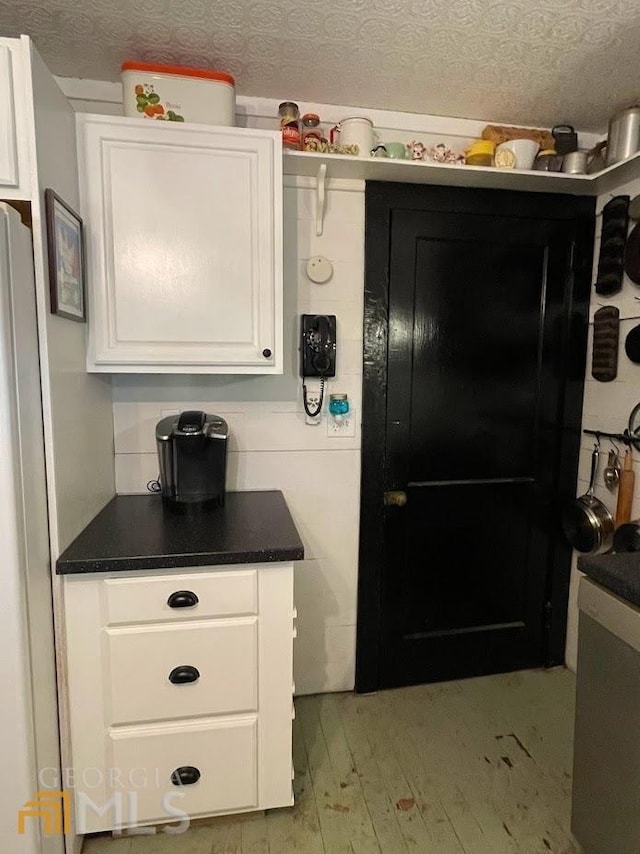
x: 183, y: 228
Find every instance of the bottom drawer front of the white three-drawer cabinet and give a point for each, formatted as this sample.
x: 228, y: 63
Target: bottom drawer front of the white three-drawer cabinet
x: 224, y: 754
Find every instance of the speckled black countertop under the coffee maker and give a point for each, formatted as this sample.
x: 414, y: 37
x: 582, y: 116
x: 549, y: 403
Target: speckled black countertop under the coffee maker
x: 139, y: 532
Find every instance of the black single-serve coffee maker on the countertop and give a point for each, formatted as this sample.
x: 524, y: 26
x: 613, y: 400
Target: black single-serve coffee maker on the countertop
x: 192, y: 453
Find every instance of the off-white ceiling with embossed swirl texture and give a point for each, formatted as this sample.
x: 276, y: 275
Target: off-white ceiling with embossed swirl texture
x: 520, y: 61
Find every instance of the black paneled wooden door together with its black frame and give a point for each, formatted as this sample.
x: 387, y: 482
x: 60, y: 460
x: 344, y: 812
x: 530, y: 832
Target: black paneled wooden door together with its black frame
x: 485, y: 318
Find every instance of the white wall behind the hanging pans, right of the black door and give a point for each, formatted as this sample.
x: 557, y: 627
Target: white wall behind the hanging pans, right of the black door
x: 606, y: 405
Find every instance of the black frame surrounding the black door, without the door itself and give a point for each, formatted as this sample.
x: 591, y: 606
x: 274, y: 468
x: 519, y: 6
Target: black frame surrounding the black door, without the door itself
x: 380, y: 200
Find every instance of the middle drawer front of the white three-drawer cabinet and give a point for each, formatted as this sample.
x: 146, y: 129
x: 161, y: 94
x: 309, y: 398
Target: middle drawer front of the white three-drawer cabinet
x: 182, y: 670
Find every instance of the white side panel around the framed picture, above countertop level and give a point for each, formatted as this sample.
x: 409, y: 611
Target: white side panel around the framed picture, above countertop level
x: 77, y: 405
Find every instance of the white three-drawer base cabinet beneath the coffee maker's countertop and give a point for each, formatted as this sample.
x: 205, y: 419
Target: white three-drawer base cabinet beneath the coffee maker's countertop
x: 154, y: 689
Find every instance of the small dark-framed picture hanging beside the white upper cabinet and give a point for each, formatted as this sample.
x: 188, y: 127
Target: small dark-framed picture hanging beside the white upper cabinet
x: 66, y: 259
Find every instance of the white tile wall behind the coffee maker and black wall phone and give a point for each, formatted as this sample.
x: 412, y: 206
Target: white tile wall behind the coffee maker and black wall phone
x: 271, y: 446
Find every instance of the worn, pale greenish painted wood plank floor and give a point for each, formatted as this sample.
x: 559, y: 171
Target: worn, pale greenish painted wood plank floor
x: 478, y: 766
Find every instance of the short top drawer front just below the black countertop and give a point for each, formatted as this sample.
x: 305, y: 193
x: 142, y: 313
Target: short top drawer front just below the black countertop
x: 183, y: 596
